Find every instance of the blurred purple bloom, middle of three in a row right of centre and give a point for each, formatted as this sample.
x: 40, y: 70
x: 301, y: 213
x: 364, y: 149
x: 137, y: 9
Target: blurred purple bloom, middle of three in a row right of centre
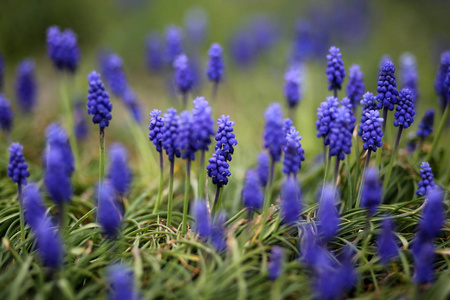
x: 291, y: 198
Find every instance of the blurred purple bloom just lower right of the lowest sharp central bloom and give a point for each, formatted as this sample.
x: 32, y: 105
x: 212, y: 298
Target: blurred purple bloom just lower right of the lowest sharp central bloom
x: 252, y: 194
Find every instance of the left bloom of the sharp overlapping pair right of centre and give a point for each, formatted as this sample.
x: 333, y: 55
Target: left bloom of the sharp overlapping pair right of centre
x: 325, y: 116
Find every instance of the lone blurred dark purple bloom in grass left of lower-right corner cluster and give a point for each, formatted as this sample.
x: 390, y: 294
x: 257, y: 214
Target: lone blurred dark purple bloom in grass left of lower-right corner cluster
x: 386, y: 244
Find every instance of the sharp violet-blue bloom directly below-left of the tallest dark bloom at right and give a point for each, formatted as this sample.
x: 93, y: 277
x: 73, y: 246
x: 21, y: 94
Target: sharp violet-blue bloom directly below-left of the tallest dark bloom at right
x: 371, y: 131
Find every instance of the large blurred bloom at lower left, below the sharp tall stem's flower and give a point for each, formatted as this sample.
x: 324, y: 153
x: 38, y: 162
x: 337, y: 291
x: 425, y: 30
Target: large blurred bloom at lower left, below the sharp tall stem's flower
x: 108, y: 213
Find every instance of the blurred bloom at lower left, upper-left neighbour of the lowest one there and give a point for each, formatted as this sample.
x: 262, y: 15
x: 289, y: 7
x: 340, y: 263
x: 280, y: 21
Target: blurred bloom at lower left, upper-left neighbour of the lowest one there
x: 34, y: 208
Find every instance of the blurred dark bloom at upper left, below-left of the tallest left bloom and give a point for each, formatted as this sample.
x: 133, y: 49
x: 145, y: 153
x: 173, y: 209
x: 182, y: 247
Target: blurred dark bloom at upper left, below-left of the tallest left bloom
x: 26, y: 88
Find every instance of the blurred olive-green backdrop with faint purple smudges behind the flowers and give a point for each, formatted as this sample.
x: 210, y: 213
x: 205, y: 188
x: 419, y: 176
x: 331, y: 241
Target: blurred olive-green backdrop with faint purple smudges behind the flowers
x: 260, y: 40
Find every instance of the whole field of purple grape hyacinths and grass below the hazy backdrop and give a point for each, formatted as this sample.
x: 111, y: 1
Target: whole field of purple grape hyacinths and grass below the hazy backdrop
x: 183, y: 206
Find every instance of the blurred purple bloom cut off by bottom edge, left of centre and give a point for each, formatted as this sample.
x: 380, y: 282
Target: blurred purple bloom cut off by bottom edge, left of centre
x: 121, y: 281
